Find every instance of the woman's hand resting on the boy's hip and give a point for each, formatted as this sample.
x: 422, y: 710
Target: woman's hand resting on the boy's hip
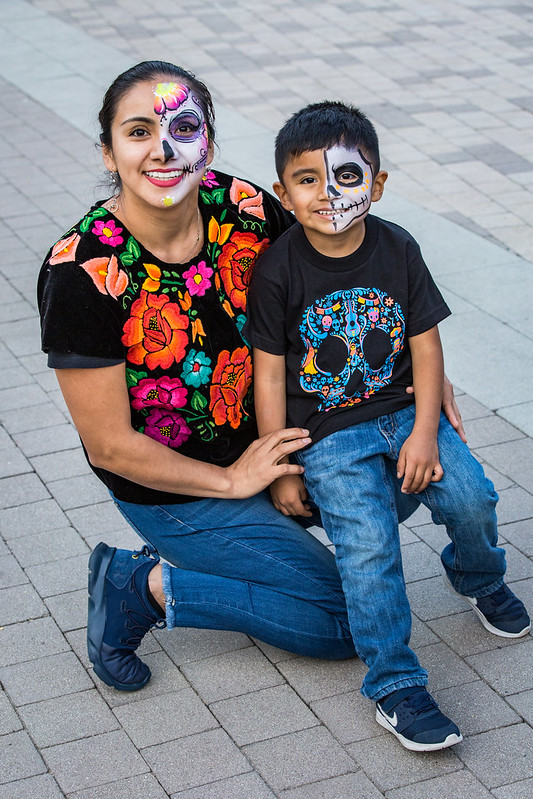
x: 262, y: 462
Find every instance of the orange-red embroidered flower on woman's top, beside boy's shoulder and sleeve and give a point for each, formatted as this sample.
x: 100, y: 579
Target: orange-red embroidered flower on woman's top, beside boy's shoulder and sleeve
x: 236, y: 264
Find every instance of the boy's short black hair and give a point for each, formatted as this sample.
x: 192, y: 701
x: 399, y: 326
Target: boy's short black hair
x: 319, y: 126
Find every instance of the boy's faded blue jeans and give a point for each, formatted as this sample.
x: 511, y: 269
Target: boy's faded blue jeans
x: 351, y: 476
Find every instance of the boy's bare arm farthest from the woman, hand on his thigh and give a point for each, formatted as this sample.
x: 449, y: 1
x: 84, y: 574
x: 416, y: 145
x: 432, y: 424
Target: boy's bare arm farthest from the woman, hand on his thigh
x: 418, y: 462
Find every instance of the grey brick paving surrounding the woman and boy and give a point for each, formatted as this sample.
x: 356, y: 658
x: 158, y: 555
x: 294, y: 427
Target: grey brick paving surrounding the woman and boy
x: 224, y: 717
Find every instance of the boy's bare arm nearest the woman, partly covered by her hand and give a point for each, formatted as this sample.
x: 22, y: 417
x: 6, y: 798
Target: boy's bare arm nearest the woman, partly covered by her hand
x: 288, y: 492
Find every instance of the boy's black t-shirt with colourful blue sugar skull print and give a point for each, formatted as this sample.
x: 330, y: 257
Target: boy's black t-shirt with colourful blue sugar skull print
x: 343, y: 323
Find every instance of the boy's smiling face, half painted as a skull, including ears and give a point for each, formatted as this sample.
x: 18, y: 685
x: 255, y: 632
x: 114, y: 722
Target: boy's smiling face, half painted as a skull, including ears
x: 330, y: 190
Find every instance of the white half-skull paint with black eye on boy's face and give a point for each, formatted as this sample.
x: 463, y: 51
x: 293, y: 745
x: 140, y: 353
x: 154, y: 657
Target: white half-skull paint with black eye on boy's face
x: 348, y: 184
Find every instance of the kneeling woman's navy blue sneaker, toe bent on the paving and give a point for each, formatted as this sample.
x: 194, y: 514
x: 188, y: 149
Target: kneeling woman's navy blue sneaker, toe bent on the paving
x: 120, y: 615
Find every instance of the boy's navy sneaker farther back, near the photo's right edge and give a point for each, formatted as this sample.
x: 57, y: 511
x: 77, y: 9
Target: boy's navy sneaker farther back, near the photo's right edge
x: 501, y: 613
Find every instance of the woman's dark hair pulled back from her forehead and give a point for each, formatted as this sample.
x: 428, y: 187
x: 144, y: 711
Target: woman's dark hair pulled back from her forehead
x: 151, y: 71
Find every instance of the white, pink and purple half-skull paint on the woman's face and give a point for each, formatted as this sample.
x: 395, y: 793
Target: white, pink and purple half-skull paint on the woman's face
x: 184, y: 141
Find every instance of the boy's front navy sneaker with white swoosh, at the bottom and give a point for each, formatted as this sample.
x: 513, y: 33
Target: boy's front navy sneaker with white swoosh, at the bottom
x: 413, y: 716
